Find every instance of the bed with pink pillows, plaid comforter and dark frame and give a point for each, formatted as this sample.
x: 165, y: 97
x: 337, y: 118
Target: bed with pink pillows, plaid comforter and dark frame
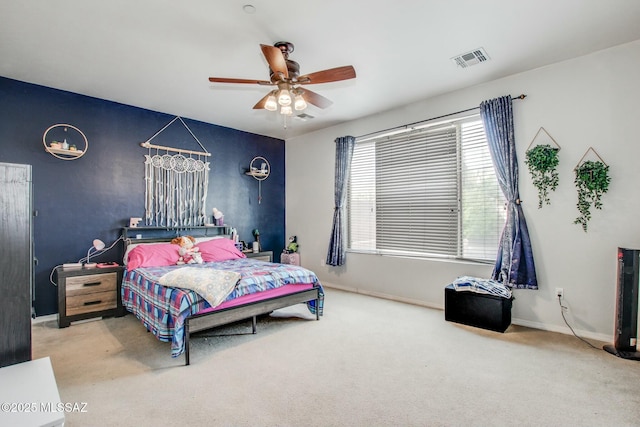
x: 174, y: 301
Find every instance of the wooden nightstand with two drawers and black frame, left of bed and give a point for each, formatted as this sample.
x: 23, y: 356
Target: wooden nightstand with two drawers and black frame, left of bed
x: 85, y: 293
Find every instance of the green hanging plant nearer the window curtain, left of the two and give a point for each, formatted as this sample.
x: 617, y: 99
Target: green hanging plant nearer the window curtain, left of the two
x: 542, y: 161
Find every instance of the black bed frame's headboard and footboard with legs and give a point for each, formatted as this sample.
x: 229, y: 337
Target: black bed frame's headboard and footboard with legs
x: 212, y: 319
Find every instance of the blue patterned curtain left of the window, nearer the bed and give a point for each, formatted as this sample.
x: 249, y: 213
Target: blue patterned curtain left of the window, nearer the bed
x: 344, y: 153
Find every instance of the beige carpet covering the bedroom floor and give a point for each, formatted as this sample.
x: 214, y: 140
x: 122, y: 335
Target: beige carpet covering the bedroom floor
x: 367, y: 362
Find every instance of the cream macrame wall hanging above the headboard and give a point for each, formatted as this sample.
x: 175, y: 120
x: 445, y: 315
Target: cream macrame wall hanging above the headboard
x: 175, y: 185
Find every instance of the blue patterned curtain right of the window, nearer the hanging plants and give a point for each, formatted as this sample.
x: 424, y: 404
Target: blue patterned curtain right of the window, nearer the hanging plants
x: 514, y: 264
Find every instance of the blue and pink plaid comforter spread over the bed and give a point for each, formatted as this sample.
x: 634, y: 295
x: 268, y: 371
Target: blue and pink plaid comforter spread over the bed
x: 163, y: 310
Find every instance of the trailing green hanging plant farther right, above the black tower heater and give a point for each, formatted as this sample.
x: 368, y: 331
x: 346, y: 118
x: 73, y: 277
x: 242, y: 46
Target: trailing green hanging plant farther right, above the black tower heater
x: 592, y: 181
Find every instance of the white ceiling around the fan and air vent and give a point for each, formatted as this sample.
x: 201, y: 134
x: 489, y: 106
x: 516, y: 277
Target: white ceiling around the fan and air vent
x: 158, y: 54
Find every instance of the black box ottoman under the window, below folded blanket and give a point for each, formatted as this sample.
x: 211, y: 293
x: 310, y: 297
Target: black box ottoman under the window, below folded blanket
x: 475, y: 309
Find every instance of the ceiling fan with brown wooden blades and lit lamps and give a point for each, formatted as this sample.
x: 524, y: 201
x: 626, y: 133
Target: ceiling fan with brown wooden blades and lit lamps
x: 285, y: 74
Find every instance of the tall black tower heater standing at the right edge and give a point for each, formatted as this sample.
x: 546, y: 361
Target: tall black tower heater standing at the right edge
x: 626, y: 330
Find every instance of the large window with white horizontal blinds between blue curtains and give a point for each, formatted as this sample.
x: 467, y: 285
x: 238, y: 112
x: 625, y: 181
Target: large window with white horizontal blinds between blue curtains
x: 426, y: 192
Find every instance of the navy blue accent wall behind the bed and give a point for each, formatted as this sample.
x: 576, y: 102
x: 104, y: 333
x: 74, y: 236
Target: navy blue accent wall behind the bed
x: 95, y: 195
